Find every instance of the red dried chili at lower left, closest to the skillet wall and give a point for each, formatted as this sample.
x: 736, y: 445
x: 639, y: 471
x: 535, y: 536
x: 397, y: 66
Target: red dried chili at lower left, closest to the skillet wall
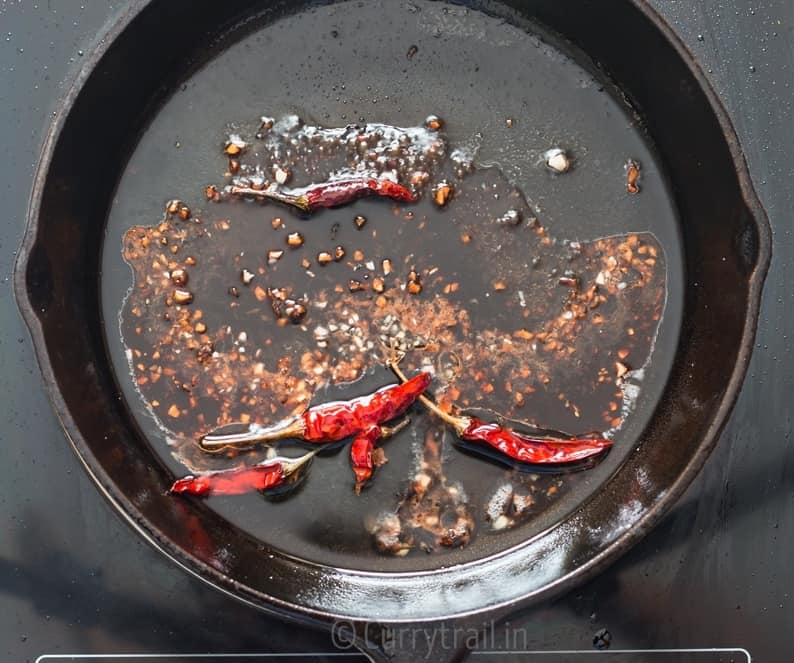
x: 264, y: 476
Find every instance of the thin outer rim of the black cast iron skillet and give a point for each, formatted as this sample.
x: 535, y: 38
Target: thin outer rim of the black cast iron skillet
x: 456, y: 576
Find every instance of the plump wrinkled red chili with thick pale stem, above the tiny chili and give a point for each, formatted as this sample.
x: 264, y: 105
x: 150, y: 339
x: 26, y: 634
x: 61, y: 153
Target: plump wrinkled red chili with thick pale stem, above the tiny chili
x: 329, y: 422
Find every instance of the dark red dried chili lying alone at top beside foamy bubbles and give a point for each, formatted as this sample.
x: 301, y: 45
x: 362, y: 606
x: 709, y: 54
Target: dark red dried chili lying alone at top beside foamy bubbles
x: 329, y: 194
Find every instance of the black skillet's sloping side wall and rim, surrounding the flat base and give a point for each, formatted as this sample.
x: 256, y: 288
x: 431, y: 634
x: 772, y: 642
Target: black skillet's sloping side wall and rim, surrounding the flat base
x: 726, y: 245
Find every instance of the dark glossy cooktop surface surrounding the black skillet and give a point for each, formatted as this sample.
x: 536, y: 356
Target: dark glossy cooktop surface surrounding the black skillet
x: 715, y: 573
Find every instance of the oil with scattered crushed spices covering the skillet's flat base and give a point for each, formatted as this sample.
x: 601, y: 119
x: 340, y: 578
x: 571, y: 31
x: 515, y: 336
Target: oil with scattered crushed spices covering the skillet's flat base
x: 546, y: 294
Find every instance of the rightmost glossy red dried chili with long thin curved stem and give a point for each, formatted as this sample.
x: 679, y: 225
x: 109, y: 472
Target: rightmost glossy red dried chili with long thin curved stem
x: 515, y: 445
